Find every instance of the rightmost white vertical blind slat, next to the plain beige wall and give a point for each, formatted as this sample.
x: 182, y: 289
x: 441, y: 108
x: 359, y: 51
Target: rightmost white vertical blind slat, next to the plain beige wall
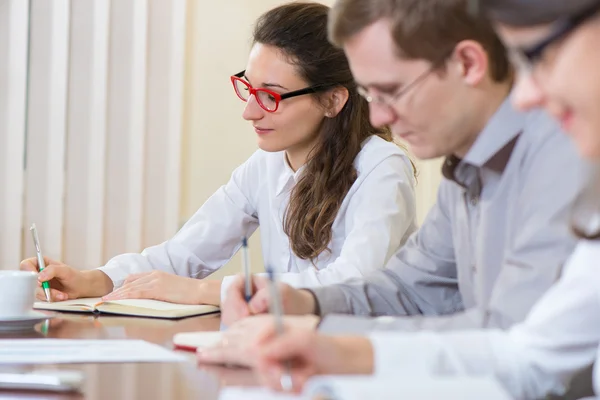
x: 166, y: 47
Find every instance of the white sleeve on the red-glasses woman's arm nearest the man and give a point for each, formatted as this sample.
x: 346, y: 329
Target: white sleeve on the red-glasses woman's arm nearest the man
x: 380, y: 216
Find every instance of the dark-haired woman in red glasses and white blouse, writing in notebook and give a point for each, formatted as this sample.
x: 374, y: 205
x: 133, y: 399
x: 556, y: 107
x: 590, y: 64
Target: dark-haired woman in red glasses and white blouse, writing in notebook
x: 332, y: 195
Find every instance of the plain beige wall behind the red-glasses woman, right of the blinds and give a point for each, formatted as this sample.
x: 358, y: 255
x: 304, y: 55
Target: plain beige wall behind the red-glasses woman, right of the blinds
x: 216, y: 138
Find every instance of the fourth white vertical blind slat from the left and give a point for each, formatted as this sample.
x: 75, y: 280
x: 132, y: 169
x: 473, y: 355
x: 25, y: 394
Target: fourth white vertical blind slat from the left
x: 126, y: 116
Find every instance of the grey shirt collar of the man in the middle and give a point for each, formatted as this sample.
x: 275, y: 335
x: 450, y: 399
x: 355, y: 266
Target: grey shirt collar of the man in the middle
x: 495, y: 143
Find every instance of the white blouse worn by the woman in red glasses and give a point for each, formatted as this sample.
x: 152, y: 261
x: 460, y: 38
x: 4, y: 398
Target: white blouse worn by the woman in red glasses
x: 376, y: 217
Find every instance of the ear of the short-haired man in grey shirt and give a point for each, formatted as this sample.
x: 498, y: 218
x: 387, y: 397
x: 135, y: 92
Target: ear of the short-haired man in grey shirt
x: 472, y: 61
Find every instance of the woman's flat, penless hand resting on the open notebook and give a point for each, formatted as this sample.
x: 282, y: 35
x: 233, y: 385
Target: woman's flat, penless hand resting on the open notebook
x: 159, y: 285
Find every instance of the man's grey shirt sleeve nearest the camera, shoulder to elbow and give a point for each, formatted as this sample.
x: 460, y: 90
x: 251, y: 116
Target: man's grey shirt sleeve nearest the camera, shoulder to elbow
x: 543, y: 240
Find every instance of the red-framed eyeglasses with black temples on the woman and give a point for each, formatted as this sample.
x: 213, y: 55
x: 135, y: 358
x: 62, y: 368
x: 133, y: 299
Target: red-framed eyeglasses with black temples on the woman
x: 267, y: 99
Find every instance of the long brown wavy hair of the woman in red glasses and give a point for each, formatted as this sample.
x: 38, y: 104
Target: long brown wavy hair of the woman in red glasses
x: 299, y: 30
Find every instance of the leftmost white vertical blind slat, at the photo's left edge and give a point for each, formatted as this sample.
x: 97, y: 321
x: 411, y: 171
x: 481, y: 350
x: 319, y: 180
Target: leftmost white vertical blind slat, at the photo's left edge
x: 14, y: 22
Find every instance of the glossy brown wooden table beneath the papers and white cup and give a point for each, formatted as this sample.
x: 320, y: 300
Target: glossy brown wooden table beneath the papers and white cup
x: 134, y: 380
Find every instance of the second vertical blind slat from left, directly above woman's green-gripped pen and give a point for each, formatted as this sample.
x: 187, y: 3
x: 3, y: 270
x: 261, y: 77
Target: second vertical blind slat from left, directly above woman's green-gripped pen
x: 46, y: 122
